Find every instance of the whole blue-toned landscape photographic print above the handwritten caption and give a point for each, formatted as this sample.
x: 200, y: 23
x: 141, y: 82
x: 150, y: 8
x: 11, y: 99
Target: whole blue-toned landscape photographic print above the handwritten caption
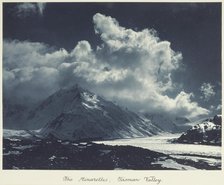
x: 111, y: 86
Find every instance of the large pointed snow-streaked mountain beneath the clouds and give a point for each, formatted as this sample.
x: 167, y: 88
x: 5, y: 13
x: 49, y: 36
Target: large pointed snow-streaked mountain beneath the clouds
x: 75, y: 113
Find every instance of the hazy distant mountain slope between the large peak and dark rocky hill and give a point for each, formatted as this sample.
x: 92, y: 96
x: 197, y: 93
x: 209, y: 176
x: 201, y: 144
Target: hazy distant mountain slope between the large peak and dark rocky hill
x: 169, y: 123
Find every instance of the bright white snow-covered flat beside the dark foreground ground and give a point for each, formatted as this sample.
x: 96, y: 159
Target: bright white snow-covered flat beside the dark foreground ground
x: 209, y: 155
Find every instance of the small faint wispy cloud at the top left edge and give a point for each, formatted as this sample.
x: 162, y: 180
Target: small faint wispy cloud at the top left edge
x: 26, y: 9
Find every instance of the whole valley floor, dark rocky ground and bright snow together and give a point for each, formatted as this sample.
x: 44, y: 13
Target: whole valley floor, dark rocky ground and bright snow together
x: 151, y: 153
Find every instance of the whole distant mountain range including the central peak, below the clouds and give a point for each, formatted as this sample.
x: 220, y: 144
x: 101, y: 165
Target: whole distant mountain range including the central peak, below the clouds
x: 76, y: 113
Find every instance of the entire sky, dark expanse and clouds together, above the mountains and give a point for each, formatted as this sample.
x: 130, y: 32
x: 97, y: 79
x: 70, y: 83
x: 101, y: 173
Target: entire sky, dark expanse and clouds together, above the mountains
x: 149, y: 57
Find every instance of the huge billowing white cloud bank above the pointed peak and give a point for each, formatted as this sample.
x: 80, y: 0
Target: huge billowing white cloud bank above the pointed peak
x: 131, y: 67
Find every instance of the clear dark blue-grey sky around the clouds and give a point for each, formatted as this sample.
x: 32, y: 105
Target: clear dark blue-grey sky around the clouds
x: 194, y: 29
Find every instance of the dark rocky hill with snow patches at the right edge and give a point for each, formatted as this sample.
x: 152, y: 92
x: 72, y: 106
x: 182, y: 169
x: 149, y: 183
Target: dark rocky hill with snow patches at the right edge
x: 207, y: 132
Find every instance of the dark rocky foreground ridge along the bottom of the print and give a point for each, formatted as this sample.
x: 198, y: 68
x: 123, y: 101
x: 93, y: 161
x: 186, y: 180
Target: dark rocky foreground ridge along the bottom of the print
x: 67, y: 155
